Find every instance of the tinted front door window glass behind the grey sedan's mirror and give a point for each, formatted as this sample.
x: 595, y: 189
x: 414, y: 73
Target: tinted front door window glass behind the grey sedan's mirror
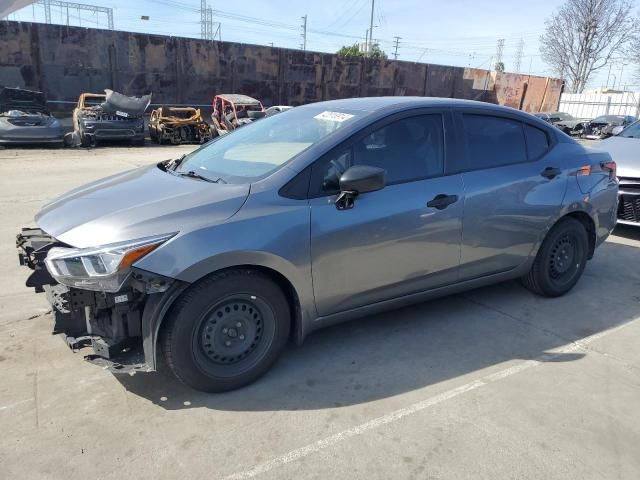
x: 408, y: 149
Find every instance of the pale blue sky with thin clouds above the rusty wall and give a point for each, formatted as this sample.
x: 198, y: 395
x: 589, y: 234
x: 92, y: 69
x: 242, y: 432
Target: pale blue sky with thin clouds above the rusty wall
x: 454, y: 32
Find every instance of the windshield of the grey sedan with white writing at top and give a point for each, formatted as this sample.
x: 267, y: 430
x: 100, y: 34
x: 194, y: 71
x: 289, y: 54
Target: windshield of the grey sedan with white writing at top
x: 255, y: 150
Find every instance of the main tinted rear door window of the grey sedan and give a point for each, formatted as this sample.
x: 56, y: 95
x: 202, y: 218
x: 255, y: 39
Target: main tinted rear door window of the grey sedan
x: 493, y: 141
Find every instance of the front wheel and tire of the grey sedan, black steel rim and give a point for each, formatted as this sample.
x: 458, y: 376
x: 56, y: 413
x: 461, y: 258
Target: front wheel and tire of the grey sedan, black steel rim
x: 226, y: 330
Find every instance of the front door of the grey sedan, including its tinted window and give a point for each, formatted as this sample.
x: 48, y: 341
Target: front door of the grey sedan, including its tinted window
x: 391, y: 243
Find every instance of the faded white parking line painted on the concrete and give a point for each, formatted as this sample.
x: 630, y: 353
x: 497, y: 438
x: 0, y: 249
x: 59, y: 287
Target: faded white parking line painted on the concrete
x: 396, y: 415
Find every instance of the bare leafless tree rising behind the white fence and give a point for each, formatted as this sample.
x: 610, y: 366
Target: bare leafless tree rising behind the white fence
x: 583, y: 36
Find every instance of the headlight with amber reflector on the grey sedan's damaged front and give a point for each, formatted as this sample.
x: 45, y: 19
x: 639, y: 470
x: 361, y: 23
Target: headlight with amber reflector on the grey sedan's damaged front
x: 103, y: 268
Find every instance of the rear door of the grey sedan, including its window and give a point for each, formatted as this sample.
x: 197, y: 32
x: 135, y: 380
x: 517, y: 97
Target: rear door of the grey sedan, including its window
x: 514, y: 186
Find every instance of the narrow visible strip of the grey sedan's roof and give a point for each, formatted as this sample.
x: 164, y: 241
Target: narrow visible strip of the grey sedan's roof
x: 374, y: 104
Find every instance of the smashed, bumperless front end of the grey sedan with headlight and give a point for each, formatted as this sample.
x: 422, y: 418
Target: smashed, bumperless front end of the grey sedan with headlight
x: 118, y: 315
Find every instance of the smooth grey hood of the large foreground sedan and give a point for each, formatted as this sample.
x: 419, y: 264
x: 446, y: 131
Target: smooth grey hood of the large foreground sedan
x: 138, y: 203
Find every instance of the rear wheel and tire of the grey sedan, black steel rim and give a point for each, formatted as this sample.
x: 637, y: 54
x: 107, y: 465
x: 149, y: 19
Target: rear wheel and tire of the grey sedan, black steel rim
x: 560, y: 261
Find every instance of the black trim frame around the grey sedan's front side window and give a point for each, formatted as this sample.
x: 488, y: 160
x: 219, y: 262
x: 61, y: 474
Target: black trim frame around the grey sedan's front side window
x: 349, y: 143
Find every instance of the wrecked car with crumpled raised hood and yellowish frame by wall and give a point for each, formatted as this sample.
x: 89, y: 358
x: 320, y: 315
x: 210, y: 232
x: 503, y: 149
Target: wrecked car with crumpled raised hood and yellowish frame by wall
x: 109, y: 116
